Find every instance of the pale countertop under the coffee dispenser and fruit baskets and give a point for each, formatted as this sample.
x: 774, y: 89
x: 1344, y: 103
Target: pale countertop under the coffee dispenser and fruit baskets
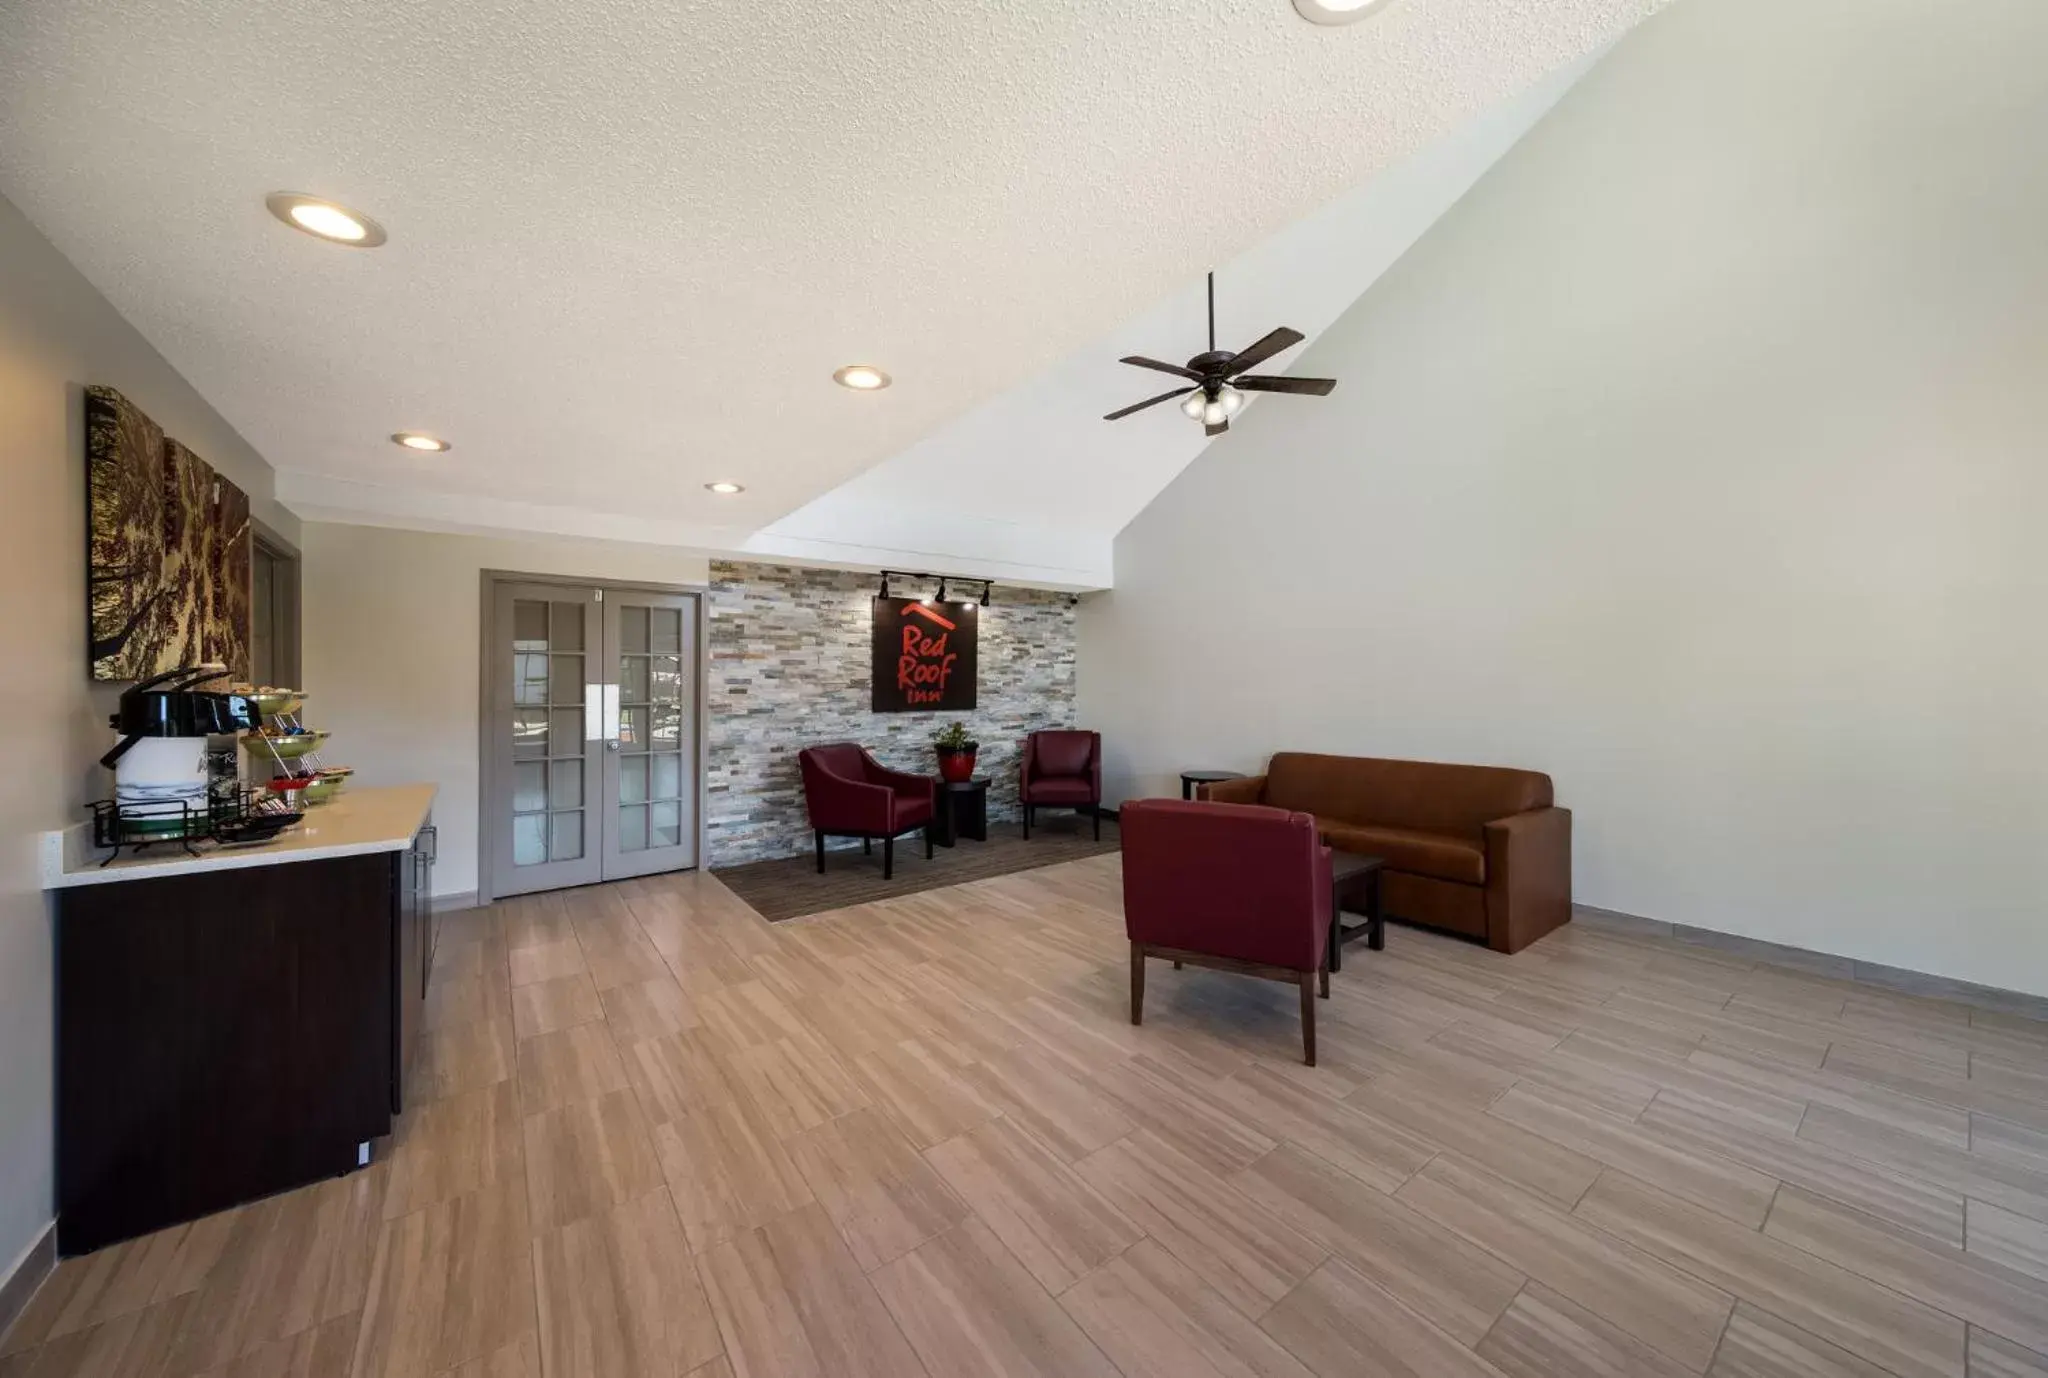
x: 355, y: 824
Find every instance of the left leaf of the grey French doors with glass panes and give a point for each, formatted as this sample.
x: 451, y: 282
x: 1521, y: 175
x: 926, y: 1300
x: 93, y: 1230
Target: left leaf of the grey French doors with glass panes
x: 546, y: 740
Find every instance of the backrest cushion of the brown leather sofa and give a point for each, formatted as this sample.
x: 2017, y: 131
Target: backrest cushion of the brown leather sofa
x: 1428, y: 798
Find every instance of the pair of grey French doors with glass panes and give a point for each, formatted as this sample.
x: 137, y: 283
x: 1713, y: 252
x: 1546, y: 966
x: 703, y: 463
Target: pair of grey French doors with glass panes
x: 593, y: 734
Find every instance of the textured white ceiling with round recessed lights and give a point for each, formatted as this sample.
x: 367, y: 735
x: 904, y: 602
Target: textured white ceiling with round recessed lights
x: 632, y: 241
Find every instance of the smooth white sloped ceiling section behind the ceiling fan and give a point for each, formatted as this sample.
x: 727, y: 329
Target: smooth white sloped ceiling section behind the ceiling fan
x: 1035, y: 486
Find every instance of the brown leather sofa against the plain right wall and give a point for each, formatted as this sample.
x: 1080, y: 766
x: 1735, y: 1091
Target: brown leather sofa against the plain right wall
x: 1478, y: 851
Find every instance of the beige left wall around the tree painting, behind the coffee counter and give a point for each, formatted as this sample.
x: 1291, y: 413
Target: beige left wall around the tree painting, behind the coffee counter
x: 56, y: 337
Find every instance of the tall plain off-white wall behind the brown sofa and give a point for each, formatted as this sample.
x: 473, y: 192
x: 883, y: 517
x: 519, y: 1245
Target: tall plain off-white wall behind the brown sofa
x: 1697, y: 458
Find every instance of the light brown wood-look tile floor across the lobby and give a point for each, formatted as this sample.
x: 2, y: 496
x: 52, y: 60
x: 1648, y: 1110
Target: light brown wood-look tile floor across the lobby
x: 656, y: 1135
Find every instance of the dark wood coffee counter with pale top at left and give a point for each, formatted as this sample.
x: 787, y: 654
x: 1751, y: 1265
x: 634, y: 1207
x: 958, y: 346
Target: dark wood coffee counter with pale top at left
x: 237, y: 1023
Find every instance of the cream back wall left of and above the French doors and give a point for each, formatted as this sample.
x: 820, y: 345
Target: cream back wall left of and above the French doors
x: 394, y: 623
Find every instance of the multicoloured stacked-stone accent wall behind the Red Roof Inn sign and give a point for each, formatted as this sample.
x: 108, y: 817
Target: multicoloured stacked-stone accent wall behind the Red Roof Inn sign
x: 792, y: 660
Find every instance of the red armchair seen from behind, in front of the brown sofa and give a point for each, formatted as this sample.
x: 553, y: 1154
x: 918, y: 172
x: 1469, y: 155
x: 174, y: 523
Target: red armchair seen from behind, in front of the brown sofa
x: 1236, y: 888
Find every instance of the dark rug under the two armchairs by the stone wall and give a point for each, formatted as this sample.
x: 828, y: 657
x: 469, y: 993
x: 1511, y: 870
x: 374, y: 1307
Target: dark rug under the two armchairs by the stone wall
x: 792, y: 888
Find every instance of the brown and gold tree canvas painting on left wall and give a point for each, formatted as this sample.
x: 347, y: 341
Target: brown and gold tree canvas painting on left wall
x: 169, y: 578
